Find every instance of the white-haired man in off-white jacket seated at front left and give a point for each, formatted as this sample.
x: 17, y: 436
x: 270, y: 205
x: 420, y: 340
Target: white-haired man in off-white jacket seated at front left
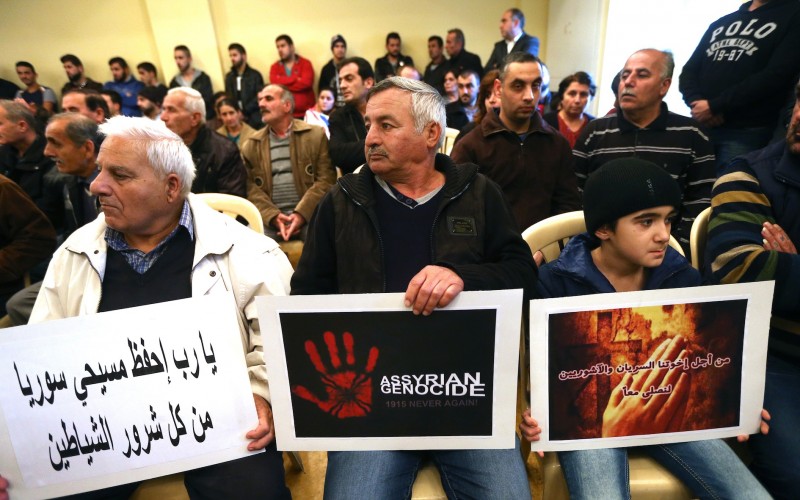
x: 156, y: 242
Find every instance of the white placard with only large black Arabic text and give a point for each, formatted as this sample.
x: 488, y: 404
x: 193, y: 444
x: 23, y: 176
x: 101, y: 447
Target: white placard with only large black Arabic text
x: 111, y: 398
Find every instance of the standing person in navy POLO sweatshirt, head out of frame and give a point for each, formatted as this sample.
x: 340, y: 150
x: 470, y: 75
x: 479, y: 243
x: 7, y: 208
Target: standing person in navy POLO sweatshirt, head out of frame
x: 742, y: 74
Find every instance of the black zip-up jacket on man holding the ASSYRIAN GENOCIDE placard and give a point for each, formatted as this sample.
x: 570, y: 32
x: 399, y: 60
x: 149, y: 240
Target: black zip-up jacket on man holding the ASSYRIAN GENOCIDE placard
x: 473, y: 234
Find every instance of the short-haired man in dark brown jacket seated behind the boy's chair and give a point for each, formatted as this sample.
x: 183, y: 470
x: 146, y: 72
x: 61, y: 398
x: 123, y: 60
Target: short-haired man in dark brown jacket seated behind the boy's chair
x: 530, y: 160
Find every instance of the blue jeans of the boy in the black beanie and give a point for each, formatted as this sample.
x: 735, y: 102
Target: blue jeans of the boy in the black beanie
x: 709, y: 468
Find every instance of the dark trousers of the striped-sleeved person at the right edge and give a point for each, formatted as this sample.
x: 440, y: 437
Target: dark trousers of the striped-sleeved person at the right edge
x: 776, y: 456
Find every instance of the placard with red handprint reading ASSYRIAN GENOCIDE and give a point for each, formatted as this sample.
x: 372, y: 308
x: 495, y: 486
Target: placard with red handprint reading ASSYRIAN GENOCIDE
x: 362, y: 372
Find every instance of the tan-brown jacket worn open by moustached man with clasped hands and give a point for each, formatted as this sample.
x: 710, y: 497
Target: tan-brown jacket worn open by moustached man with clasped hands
x: 313, y: 172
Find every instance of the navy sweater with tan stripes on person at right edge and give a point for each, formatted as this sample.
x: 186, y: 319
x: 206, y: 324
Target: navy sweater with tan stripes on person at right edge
x: 763, y: 186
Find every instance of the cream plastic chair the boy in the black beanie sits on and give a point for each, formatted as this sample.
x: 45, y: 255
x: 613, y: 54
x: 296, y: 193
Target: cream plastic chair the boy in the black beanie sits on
x: 648, y: 478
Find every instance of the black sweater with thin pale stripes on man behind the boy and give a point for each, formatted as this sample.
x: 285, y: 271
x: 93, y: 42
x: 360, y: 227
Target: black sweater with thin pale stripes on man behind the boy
x: 672, y: 141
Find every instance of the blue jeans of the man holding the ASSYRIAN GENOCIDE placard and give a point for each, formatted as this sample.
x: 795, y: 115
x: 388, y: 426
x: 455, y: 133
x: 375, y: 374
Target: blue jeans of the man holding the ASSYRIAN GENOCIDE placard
x: 388, y: 475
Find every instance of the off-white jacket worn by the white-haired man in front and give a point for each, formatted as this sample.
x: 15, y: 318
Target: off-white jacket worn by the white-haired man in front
x: 228, y: 258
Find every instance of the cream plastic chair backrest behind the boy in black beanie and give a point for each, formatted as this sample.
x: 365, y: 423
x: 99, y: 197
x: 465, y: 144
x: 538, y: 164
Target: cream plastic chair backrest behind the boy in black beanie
x: 551, y: 235
